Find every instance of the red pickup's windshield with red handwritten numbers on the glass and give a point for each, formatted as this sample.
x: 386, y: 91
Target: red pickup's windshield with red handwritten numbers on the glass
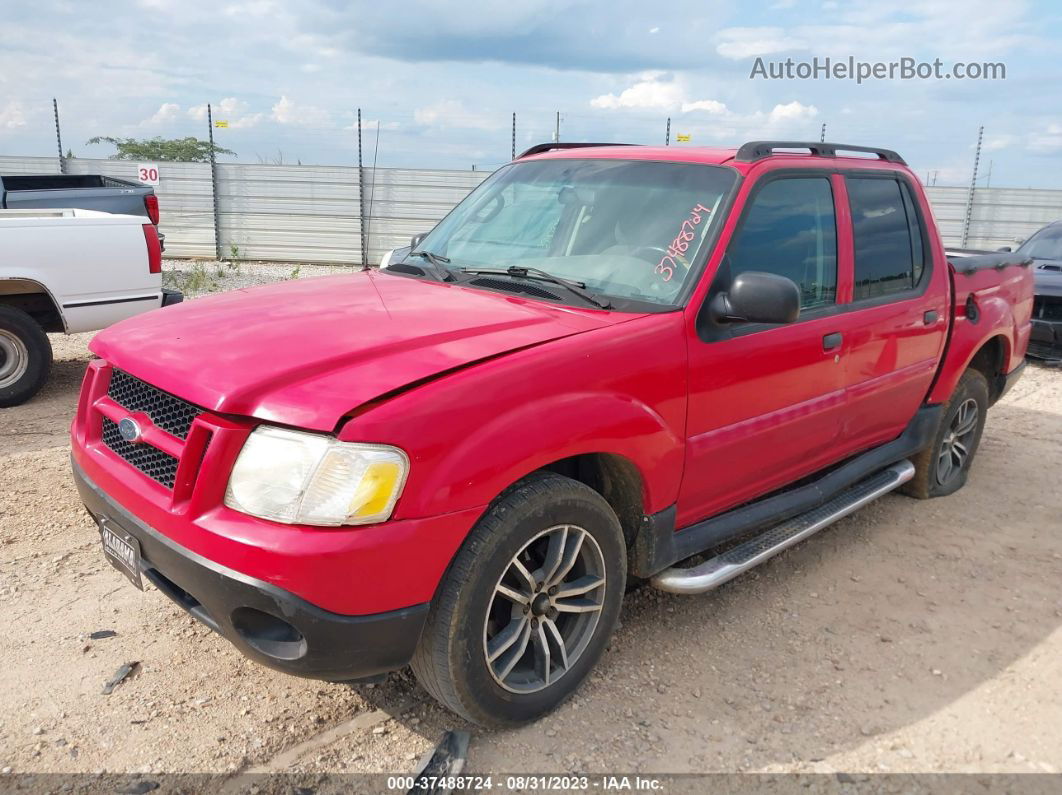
x: 625, y: 229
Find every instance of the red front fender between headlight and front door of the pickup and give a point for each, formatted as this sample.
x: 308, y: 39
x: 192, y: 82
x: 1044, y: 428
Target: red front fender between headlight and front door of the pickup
x: 521, y: 412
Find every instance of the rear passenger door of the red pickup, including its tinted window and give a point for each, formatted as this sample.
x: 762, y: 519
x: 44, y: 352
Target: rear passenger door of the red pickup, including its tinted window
x: 898, y: 320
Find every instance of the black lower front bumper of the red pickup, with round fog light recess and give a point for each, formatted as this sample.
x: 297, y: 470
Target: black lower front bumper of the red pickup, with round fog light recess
x: 265, y: 623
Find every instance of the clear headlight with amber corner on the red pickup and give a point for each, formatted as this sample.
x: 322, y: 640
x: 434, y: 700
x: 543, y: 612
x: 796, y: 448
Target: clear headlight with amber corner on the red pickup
x: 311, y: 479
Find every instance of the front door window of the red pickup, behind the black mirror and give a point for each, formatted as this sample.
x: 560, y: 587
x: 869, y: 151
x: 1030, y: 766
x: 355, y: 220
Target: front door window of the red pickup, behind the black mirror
x: 790, y: 230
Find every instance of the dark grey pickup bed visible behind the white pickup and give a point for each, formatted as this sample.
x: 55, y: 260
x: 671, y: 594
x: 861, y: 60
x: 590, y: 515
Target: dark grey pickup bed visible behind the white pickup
x: 79, y: 192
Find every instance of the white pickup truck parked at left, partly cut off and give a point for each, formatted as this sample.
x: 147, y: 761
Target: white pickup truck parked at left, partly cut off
x: 70, y: 271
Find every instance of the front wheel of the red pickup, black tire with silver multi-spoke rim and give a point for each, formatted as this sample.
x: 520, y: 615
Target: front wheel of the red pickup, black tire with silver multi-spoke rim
x: 528, y: 606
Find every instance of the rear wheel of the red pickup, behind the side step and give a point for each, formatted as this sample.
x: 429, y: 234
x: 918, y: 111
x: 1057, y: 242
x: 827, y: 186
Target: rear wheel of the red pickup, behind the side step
x: 943, y: 468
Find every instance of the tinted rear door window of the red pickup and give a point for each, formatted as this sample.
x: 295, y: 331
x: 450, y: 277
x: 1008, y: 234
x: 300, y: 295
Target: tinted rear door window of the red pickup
x: 888, y: 239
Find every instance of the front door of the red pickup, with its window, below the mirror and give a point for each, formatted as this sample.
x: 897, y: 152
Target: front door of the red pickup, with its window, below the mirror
x: 767, y: 403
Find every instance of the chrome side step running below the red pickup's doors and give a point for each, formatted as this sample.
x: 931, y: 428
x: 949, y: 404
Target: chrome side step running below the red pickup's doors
x: 739, y: 560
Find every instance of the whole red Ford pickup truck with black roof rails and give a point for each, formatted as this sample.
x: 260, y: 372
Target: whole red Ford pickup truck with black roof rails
x: 607, y: 361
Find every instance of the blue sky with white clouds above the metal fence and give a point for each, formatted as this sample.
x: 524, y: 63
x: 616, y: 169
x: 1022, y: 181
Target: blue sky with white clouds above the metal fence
x: 442, y: 80
